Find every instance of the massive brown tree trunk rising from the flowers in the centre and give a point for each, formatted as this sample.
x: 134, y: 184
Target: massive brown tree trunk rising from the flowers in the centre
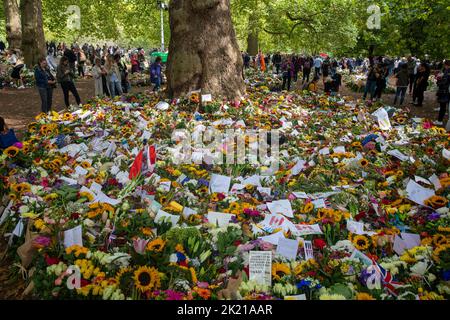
x: 203, y: 51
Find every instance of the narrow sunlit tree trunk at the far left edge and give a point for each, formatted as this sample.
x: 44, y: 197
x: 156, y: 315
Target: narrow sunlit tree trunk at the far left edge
x: 13, y: 25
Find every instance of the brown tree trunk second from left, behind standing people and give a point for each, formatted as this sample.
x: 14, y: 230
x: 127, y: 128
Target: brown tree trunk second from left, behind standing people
x: 33, y: 40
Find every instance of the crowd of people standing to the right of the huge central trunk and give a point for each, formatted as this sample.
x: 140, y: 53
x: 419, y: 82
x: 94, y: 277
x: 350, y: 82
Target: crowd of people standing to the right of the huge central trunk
x: 408, y: 73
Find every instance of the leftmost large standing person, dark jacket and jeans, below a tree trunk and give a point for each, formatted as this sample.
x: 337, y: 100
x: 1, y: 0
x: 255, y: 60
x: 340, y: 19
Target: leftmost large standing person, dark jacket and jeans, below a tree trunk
x: 45, y: 82
